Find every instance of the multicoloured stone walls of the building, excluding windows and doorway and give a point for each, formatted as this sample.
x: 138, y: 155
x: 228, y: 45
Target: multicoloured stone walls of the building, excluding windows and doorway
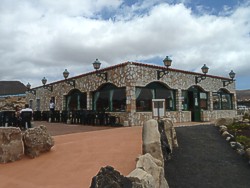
x: 131, y: 75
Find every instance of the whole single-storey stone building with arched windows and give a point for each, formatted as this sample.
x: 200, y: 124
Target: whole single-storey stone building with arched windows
x: 135, y: 92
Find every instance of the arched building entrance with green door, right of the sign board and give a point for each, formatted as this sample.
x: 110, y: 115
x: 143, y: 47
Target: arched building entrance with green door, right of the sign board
x: 197, y: 101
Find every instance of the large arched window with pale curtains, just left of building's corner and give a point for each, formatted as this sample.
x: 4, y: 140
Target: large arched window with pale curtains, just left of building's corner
x: 109, y: 98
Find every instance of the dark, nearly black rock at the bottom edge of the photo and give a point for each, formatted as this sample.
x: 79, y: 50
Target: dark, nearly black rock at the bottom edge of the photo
x: 108, y: 177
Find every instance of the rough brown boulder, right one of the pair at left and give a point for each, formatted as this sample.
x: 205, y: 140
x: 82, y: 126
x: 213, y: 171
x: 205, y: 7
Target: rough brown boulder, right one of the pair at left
x: 36, y: 141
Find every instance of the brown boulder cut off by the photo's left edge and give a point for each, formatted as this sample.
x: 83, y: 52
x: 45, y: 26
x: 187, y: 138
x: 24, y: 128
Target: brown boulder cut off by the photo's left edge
x: 11, y: 144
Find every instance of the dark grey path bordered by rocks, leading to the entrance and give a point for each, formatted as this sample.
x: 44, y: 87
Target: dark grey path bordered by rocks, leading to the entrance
x: 205, y: 160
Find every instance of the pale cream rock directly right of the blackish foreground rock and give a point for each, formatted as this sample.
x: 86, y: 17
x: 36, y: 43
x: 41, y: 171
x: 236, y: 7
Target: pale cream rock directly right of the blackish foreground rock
x: 148, y: 164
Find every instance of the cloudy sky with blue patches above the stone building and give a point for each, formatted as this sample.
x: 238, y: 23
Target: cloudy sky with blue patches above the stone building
x: 42, y: 38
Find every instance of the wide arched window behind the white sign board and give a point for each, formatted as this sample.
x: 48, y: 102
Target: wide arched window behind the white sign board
x: 155, y: 90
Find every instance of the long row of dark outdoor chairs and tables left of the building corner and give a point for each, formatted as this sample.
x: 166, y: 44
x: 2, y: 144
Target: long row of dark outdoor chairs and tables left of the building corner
x: 83, y: 117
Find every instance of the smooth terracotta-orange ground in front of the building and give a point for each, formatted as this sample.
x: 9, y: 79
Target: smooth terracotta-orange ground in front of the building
x: 75, y: 159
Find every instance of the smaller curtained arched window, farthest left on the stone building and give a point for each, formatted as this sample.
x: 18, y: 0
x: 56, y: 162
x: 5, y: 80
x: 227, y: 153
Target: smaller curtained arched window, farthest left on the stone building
x: 76, y: 100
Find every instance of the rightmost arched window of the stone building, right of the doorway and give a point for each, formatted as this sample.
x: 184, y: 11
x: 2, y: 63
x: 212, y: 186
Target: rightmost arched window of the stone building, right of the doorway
x: 222, y: 100
